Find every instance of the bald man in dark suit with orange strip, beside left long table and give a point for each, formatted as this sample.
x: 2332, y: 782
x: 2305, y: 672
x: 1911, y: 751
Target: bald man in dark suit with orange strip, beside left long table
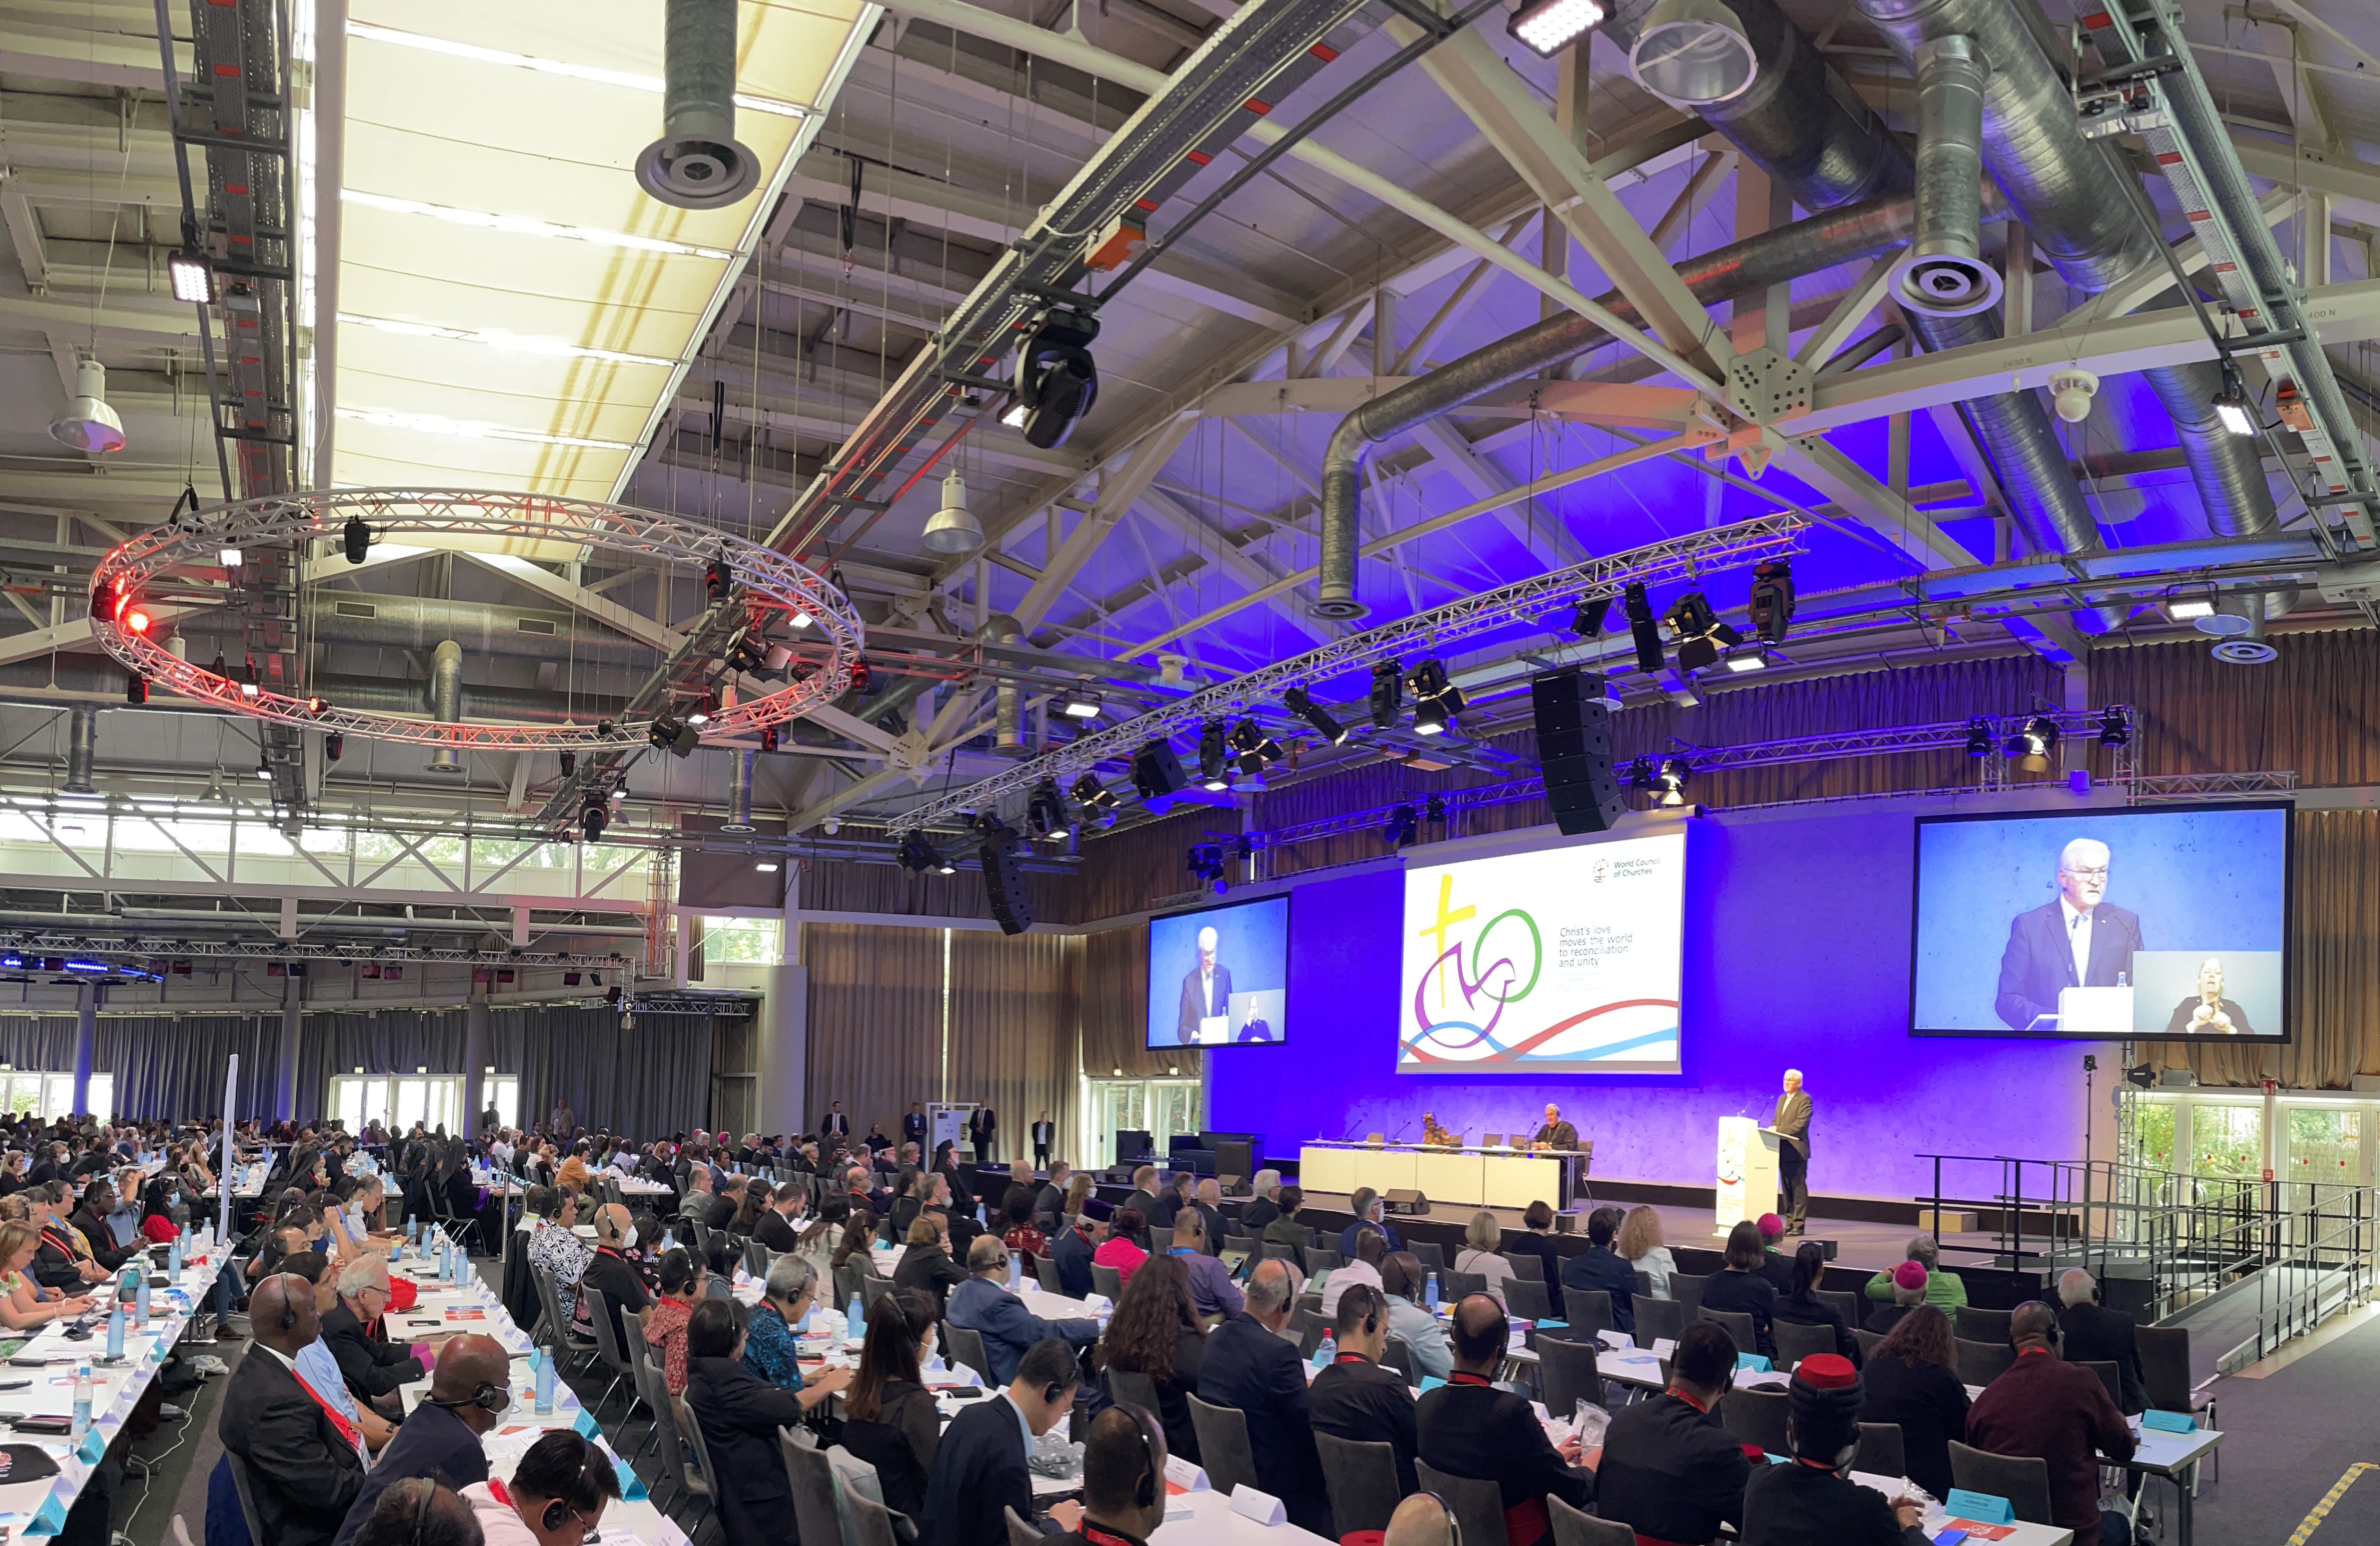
x: 301, y: 1454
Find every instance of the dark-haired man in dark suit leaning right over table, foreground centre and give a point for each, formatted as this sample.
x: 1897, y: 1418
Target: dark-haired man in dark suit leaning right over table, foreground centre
x: 979, y: 1469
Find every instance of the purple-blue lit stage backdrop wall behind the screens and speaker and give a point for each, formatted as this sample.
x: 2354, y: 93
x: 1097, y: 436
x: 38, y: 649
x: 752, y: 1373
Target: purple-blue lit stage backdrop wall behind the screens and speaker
x: 1798, y: 957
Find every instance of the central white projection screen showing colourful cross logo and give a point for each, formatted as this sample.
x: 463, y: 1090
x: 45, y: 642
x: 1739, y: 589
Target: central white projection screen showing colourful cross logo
x: 1548, y: 962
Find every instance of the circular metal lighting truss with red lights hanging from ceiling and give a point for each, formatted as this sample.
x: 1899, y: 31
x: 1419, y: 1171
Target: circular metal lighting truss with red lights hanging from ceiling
x: 770, y: 586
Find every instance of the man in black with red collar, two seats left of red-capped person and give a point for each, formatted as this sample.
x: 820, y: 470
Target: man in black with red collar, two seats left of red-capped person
x: 1470, y: 1428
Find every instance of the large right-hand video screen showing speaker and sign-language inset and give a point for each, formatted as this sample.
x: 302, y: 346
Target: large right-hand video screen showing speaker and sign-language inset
x: 2105, y: 926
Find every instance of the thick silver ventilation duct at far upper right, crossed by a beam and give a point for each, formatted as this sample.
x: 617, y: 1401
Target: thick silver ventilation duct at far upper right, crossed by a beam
x: 2072, y: 194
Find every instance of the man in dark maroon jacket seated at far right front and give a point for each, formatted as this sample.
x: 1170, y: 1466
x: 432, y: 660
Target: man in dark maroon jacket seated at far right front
x: 2060, y: 1414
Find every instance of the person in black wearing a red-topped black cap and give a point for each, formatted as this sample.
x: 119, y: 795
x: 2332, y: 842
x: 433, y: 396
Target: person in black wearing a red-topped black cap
x: 1815, y: 1502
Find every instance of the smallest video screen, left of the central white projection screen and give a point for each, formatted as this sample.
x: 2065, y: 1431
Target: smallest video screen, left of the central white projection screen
x: 1222, y: 976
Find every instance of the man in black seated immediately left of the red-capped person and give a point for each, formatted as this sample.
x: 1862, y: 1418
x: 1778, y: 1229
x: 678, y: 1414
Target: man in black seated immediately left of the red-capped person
x: 1672, y: 1469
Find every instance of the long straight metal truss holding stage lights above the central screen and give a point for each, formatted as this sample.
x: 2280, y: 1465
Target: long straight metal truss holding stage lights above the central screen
x: 1527, y: 603
